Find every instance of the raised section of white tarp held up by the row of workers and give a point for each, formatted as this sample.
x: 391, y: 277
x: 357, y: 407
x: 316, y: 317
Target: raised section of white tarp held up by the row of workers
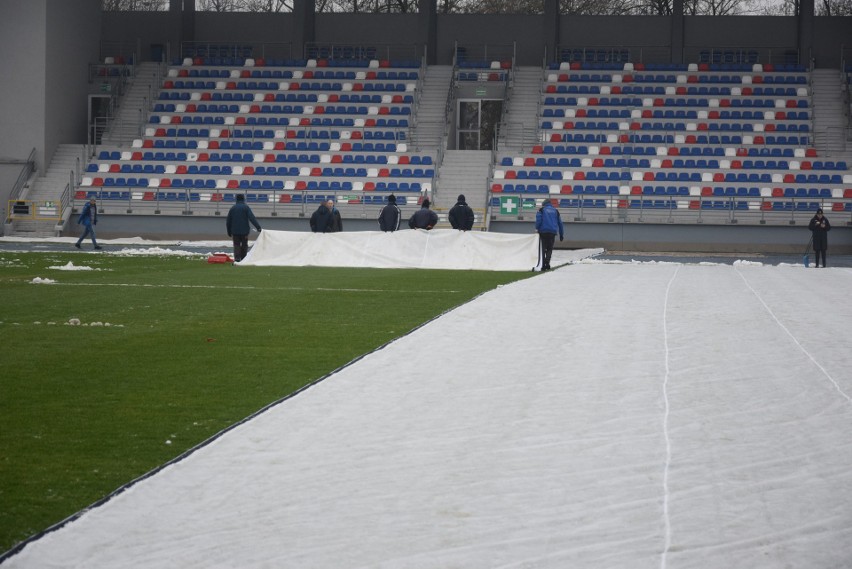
x: 418, y: 249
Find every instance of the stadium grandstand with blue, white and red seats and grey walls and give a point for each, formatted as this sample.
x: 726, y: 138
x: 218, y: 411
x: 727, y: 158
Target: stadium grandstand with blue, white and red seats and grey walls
x: 668, y: 132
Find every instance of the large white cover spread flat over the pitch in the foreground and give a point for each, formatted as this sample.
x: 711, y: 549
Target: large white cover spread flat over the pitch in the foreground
x: 603, y: 415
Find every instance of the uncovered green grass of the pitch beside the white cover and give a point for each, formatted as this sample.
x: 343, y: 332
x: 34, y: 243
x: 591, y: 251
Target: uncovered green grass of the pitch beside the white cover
x: 180, y: 350
